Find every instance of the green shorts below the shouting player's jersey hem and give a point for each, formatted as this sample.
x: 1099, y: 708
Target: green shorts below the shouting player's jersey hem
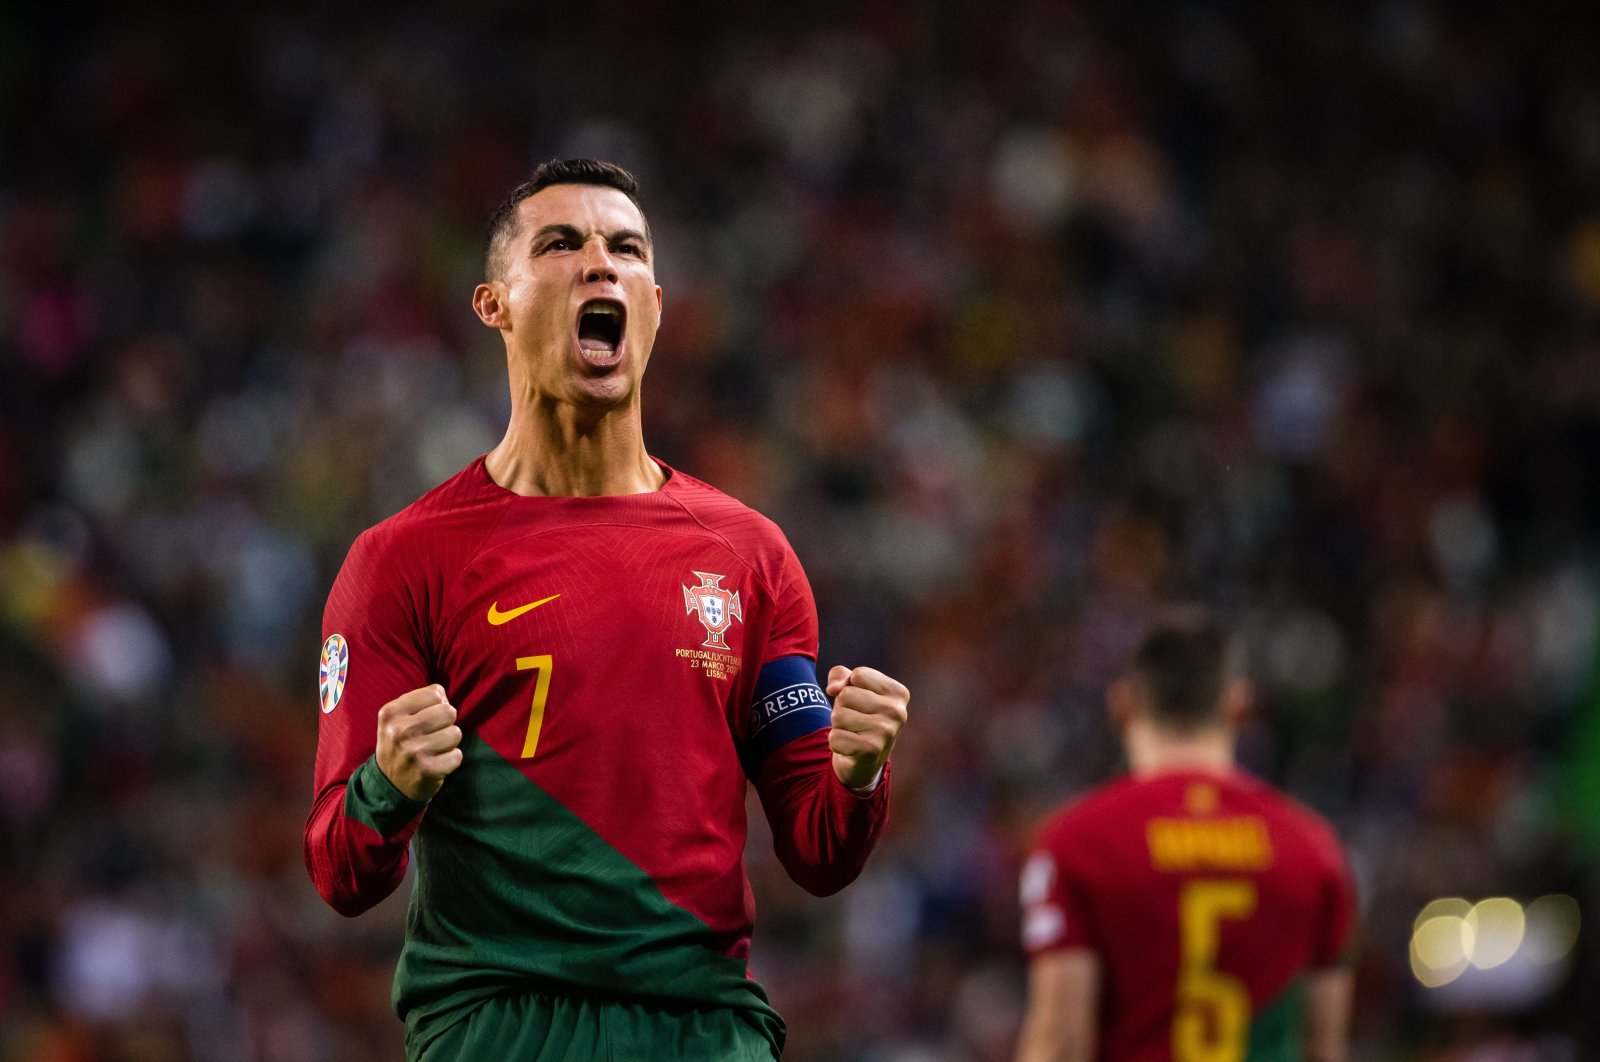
x: 558, y: 1029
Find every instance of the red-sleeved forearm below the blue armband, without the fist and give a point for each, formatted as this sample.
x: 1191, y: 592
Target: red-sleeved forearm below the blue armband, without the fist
x: 822, y: 831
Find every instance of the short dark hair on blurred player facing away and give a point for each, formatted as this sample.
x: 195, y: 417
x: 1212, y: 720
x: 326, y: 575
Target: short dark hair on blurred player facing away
x: 1183, y: 668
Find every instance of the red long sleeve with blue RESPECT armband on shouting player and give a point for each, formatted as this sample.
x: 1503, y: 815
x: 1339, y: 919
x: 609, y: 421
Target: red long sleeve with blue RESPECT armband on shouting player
x: 822, y: 831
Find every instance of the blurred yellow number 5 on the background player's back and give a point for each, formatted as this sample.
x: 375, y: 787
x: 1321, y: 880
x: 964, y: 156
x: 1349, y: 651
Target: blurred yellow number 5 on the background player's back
x: 1214, y: 1008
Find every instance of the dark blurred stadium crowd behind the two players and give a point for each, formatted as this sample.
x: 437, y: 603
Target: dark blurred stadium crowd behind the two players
x: 1015, y: 317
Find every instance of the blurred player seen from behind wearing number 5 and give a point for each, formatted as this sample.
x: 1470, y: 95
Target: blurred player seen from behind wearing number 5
x: 1190, y: 912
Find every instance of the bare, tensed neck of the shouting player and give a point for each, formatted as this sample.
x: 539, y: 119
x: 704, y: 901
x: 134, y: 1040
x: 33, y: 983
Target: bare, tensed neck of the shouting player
x: 559, y: 450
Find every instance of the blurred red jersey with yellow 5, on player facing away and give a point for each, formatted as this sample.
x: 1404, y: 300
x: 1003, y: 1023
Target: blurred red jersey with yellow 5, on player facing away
x: 1207, y: 898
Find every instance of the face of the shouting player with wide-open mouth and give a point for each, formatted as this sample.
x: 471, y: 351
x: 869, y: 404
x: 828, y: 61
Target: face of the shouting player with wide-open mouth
x: 578, y: 298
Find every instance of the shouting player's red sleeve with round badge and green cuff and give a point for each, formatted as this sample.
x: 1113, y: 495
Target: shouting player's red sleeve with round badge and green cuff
x: 374, y: 652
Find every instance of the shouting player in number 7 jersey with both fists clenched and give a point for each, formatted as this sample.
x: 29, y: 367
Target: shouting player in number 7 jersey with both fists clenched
x: 556, y: 676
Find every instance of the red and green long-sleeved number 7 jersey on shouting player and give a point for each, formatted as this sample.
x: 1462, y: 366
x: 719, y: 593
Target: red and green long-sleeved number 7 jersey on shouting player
x: 622, y: 666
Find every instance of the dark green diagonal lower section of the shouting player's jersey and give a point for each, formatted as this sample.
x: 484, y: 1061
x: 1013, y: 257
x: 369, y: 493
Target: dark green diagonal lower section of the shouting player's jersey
x: 518, y: 895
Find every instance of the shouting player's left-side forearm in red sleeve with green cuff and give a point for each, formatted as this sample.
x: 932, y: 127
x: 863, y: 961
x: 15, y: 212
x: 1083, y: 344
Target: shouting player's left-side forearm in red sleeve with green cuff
x: 356, y: 840
